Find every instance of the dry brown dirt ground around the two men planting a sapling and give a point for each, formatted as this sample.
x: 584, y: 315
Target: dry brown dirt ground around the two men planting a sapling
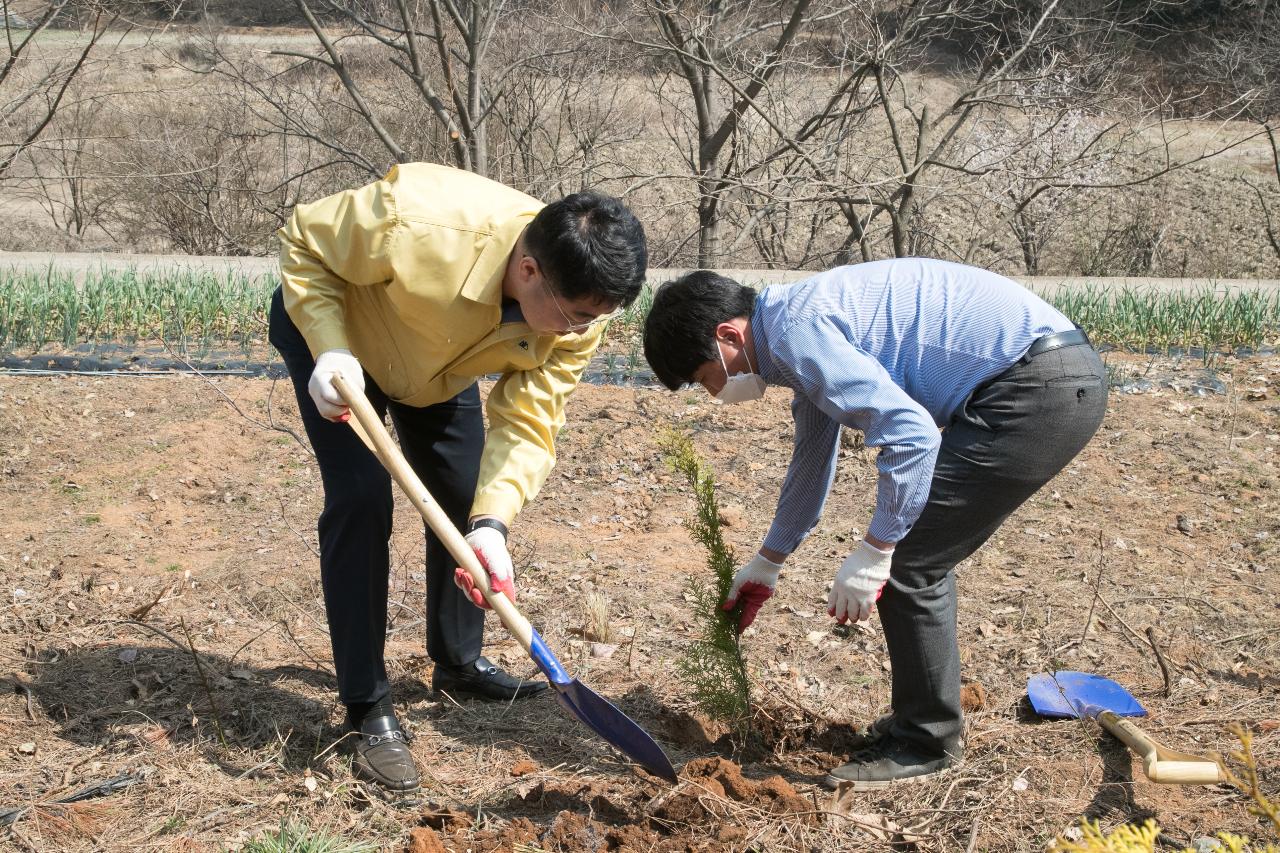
x: 159, y: 582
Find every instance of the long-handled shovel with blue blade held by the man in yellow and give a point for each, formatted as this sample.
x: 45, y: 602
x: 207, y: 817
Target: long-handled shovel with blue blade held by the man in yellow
x: 602, y: 717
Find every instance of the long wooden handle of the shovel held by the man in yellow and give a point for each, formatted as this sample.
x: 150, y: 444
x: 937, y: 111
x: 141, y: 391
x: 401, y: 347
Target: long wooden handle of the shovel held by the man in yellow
x: 390, y: 455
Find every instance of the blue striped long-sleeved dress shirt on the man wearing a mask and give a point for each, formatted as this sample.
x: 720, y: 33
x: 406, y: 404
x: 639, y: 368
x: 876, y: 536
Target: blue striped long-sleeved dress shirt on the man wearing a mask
x: 893, y: 349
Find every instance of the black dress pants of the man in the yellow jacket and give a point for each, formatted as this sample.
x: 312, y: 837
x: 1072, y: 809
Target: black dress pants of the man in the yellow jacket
x: 444, y: 445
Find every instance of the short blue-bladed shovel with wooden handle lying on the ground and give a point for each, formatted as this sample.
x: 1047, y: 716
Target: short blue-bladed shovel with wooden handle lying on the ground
x: 1087, y: 696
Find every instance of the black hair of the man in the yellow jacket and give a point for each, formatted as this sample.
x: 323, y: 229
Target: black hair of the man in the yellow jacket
x: 589, y: 245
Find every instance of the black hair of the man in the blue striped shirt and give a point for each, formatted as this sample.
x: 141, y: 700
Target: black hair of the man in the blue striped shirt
x: 680, y: 331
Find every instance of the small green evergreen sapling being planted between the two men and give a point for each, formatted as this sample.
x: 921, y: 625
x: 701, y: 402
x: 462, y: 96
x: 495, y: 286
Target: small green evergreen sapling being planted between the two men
x: 712, y: 668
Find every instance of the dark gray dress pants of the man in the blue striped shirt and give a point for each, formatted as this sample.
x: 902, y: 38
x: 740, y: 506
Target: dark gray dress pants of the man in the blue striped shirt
x: 1012, y: 436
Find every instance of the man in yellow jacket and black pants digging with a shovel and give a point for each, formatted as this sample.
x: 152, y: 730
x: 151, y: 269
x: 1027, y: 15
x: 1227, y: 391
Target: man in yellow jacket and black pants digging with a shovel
x: 412, y: 289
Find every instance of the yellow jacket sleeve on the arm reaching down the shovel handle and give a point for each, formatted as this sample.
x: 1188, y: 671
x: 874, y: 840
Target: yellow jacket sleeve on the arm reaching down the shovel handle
x: 527, y: 412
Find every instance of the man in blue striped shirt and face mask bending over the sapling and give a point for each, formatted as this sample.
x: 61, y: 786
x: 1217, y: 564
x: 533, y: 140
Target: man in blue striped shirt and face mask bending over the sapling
x: 899, y: 350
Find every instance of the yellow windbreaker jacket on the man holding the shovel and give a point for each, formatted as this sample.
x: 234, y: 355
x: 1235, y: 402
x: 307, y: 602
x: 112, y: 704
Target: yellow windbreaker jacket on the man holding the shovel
x: 408, y: 275
